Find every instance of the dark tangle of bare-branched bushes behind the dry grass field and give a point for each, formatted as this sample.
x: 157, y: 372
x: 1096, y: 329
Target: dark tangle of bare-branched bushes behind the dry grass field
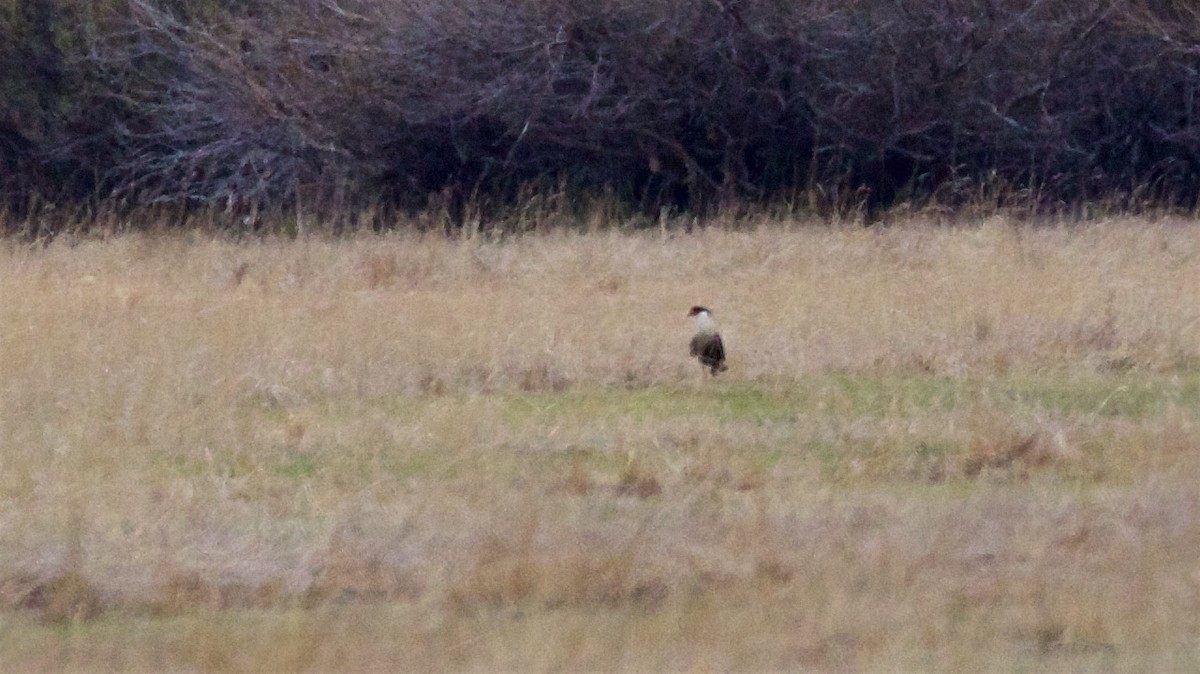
x: 349, y: 107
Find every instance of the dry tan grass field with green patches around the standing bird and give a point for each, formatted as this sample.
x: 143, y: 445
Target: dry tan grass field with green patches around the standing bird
x: 937, y: 449
